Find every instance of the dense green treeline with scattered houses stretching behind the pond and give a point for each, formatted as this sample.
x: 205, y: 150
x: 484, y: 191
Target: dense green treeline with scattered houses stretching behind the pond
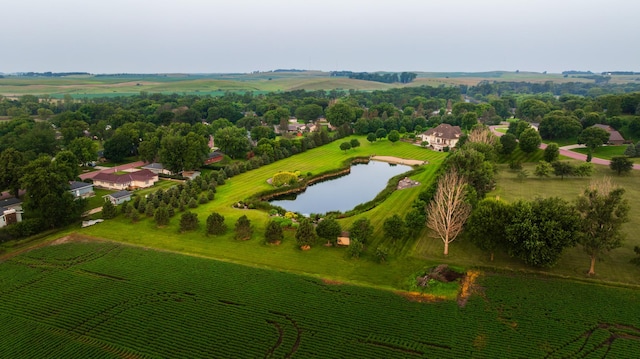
x: 255, y: 129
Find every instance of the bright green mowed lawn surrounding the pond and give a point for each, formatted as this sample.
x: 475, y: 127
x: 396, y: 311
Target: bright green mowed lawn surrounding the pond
x: 321, y: 261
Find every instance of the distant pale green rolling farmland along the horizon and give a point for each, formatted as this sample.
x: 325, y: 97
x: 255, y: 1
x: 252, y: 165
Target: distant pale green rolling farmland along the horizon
x: 87, y: 86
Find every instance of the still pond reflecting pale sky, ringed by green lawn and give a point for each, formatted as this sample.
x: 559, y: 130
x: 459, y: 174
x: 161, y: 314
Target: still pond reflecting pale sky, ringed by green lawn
x: 343, y: 193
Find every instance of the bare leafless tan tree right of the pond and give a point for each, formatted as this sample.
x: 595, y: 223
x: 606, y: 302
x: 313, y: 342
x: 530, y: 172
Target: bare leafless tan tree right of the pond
x: 448, y: 211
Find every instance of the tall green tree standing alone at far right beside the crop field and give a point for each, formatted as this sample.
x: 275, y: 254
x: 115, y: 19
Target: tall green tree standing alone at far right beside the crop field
x: 603, y: 210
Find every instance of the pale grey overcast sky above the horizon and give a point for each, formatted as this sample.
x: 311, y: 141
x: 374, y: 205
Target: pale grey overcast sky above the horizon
x: 219, y: 36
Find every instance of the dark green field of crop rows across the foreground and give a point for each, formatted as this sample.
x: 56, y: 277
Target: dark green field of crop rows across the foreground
x: 105, y: 300
